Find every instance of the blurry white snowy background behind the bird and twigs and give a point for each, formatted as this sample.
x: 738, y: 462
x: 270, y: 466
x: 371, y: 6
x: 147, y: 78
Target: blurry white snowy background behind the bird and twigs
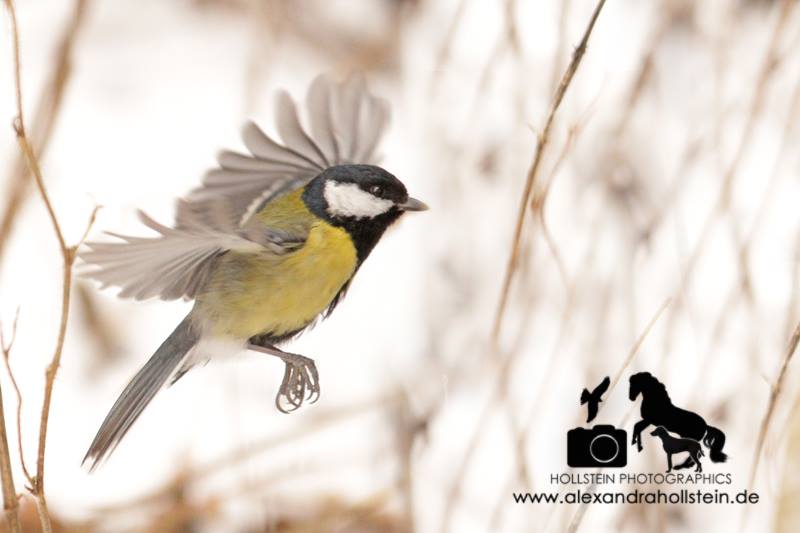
x: 424, y: 423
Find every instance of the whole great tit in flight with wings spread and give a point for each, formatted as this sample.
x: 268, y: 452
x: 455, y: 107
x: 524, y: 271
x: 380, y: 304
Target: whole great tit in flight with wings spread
x: 265, y: 246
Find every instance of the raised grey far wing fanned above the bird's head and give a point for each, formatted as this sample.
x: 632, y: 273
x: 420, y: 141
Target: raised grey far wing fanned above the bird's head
x: 346, y: 123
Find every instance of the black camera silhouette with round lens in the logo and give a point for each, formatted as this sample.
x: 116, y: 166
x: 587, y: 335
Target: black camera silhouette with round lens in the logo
x: 602, y: 446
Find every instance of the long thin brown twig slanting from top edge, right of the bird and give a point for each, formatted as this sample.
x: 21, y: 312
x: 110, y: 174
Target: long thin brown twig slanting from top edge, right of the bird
x: 541, y: 144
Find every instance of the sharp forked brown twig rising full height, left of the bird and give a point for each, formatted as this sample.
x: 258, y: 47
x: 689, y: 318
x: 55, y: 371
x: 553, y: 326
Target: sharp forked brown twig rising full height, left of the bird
x: 68, y: 256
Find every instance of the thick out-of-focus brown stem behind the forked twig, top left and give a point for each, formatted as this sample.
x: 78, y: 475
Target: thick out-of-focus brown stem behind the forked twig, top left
x: 43, y: 121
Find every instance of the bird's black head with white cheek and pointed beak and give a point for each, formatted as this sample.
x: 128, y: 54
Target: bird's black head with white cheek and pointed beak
x: 353, y: 194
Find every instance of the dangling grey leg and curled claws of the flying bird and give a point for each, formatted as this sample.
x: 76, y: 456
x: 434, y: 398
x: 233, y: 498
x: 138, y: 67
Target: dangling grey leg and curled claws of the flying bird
x: 300, y: 378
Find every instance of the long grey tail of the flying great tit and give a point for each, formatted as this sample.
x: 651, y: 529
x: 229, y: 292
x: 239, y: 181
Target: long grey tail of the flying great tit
x: 140, y: 391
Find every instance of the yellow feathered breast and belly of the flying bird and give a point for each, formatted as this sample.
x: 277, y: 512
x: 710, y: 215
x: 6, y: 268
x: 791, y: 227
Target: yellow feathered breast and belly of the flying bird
x: 251, y: 294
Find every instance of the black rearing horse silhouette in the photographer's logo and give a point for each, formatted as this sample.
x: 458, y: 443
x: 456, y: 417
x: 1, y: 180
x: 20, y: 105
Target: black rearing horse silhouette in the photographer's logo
x: 657, y: 409
